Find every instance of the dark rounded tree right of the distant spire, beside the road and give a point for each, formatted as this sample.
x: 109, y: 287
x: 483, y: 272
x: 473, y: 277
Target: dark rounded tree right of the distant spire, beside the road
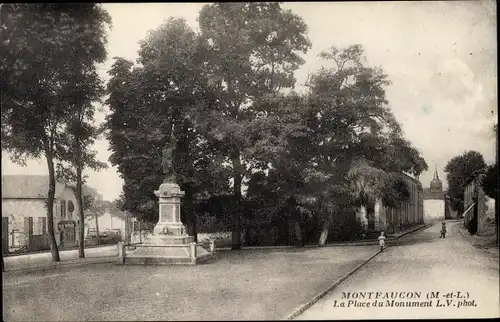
x: 458, y: 170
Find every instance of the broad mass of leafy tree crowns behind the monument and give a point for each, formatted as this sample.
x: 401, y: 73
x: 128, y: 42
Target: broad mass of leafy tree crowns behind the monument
x: 222, y: 97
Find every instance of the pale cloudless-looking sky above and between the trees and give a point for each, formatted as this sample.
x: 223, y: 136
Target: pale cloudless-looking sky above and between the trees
x: 439, y: 56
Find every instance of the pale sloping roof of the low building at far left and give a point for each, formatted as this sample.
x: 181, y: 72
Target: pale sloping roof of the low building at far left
x: 28, y: 186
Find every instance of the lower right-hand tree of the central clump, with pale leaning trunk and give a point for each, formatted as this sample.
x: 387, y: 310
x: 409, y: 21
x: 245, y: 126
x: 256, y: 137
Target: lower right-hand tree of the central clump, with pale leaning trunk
x: 335, y: 140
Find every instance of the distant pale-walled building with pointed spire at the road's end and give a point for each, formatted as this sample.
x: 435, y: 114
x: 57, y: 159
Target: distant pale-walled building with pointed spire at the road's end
x: 434, y: 200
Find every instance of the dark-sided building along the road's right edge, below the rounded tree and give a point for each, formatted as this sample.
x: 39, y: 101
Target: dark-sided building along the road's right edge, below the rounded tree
x: 479, y: 209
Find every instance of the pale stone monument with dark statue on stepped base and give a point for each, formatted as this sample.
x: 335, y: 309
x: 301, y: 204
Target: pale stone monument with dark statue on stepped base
x: 169, y: 244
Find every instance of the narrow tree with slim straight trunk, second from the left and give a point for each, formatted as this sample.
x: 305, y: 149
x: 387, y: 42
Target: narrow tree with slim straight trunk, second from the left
x: 81, y: 128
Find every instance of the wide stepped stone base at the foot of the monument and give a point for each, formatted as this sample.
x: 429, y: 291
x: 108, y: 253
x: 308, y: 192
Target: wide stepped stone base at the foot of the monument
x: 167, y: 255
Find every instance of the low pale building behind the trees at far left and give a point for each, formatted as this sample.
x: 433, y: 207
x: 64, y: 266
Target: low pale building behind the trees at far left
x: 24, y: 214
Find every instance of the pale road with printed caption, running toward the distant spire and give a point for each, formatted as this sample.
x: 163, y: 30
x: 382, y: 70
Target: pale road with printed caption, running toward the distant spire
x: 422, y: 265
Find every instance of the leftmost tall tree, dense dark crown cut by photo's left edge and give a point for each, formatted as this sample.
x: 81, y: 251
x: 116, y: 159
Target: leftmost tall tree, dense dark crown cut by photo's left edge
x: 46, y: 50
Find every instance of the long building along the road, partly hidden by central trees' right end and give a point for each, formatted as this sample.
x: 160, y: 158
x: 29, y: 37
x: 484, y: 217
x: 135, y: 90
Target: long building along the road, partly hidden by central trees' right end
x: 392, y: 220
